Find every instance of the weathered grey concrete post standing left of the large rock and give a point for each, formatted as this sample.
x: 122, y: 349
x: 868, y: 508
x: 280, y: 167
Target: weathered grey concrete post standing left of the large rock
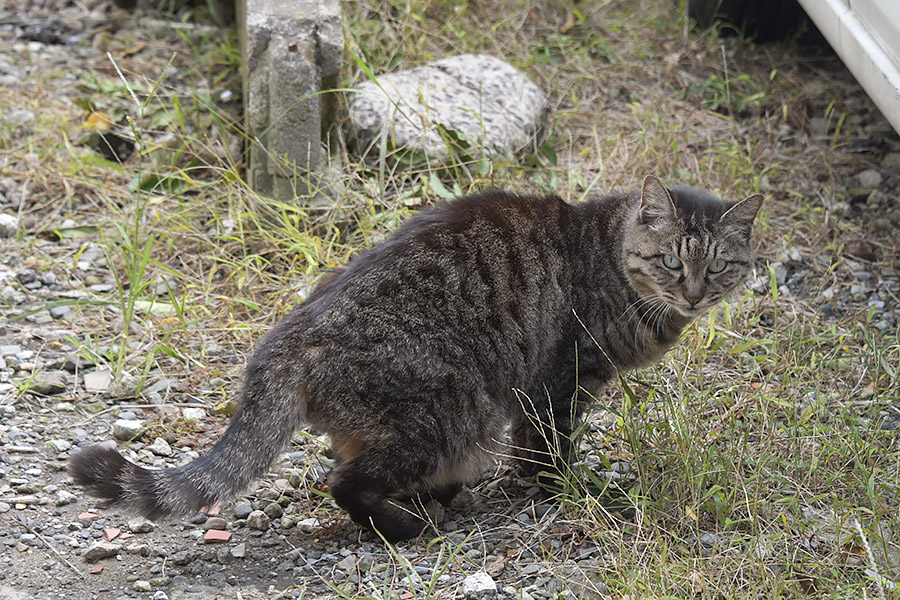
x: 291, y: 50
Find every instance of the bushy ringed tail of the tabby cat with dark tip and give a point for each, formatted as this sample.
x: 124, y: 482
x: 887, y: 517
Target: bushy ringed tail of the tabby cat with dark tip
x: 272, y: 407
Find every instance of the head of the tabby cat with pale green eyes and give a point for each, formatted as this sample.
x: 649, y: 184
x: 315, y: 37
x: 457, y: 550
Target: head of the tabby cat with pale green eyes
x: 686, y: 248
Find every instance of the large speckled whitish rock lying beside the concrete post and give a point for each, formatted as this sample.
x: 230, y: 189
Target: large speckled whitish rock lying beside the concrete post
x: 476, y: 95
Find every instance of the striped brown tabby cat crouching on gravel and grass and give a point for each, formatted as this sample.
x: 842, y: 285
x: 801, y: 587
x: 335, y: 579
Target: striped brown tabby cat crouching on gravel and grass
x: 480, y: 319
